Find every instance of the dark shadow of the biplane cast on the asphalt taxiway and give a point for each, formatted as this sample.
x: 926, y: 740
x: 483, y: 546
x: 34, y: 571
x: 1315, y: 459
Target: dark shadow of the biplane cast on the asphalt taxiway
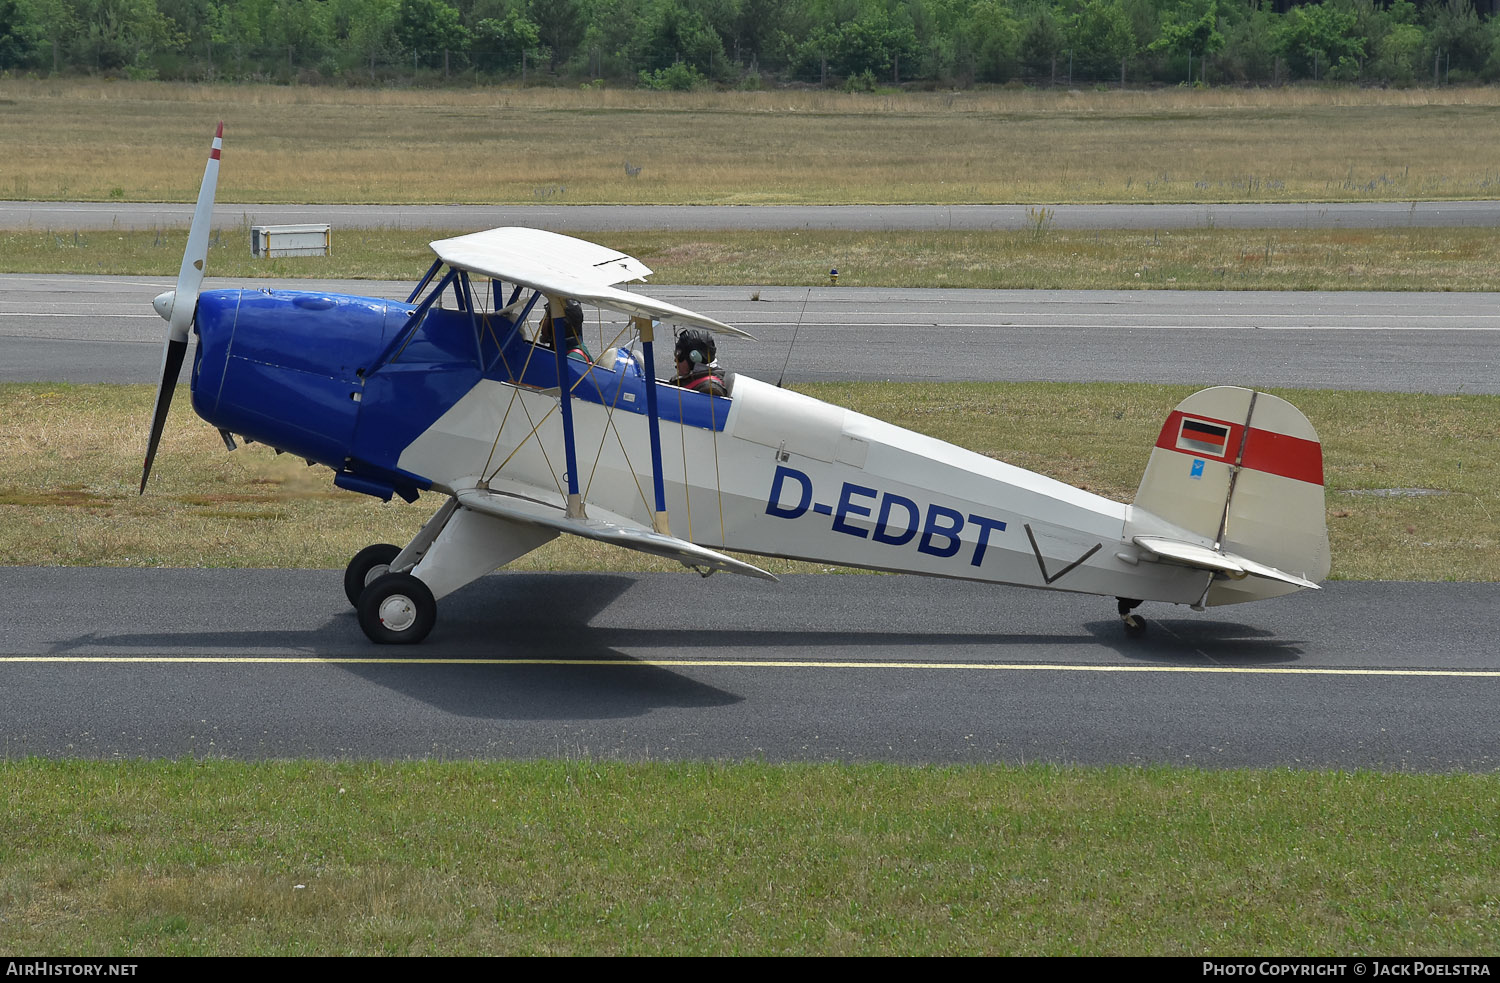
x: 550, y: 619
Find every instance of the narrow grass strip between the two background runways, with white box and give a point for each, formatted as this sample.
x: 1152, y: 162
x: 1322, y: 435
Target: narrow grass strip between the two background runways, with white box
x: 1040, y: 257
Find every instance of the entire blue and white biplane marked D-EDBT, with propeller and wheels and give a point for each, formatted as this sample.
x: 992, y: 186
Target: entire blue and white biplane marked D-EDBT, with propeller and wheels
x: 458, y: 392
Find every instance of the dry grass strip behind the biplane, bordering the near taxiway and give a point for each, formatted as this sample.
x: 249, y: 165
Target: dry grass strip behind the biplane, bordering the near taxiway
x: 76, y: 452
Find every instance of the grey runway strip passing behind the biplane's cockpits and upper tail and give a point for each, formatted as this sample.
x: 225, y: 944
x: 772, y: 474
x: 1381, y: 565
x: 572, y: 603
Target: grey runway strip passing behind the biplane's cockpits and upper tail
x: 103, y: 329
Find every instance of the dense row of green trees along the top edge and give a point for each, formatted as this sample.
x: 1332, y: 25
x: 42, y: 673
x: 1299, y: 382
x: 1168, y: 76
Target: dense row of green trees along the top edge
x: 749, y: 44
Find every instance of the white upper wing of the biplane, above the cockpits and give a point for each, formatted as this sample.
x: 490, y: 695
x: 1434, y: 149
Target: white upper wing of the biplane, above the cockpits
x: 568, y: 268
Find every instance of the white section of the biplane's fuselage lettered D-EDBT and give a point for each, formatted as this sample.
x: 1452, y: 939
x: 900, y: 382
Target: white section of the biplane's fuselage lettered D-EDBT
x: 797, y: 478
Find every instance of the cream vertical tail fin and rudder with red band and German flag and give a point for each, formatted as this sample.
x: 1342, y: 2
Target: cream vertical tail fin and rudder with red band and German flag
x: 1241, y: 473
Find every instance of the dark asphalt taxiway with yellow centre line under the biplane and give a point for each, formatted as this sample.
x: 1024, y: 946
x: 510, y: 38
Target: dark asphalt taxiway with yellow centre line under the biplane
x: 271, y: 664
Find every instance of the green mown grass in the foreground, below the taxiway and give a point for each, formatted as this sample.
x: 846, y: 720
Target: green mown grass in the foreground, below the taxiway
x: 752, y: 859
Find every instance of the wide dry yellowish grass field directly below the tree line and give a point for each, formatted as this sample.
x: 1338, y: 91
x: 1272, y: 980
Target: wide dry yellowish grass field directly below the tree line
x: 145, y: 142
